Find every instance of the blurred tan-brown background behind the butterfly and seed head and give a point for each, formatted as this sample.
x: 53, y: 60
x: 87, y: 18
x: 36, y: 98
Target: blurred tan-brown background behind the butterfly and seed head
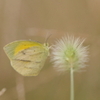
x: 35, y: 19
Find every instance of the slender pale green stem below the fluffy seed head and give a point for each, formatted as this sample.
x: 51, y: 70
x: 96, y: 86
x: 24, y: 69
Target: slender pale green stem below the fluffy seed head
x: 71, y: 84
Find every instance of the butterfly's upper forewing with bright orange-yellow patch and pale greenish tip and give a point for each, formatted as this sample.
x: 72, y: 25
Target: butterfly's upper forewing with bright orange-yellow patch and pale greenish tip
x: 15, y: 47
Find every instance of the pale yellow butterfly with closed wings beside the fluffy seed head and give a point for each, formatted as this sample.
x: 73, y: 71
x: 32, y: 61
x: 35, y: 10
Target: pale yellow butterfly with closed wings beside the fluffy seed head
x: 27, y: 57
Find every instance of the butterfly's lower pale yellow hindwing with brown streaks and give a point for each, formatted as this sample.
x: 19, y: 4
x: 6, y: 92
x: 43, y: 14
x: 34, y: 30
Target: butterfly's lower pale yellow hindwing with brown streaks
x: 29, y: 61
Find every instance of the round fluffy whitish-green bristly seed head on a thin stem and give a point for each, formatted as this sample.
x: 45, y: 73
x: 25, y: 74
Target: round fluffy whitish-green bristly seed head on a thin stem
x: 69, y: 52
